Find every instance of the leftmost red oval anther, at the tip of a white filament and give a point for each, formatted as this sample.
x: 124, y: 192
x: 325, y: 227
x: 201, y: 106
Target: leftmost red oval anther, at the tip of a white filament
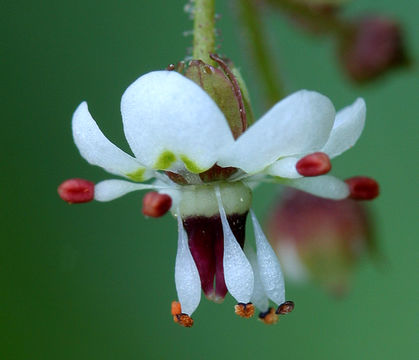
x: 76, y: 191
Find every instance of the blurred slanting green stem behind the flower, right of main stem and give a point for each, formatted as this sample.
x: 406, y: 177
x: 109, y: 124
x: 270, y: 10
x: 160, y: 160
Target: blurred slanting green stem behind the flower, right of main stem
x: 257, y: 41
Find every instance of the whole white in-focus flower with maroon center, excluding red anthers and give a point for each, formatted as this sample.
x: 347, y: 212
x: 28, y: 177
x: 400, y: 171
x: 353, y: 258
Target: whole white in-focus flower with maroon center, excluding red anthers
x: 177, y: 132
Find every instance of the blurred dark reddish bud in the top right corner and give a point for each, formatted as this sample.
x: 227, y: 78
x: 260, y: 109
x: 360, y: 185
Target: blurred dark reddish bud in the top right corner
x: 373, y: 46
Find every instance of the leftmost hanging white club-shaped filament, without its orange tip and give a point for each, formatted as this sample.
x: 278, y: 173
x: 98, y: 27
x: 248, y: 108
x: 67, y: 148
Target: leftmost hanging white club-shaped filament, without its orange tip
x: 188, y: 283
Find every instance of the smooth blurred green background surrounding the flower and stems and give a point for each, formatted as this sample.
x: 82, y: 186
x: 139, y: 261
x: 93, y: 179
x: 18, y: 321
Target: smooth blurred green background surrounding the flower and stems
x: 95, y: 281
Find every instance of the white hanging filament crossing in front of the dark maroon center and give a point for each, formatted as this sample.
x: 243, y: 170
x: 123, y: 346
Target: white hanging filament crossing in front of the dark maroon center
x: 238, y: 273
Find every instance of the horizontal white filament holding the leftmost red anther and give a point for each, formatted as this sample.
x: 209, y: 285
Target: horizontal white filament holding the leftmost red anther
x: 108, y: 190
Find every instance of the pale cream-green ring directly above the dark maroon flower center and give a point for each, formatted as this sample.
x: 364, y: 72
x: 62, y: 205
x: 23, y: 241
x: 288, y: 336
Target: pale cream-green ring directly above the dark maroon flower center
x: 200, y: 200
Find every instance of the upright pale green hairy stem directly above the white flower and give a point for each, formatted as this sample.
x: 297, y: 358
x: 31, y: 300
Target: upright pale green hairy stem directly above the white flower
x: 204, y: 30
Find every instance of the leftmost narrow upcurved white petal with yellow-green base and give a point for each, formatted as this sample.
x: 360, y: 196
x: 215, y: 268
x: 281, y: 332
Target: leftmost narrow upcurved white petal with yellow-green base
x: 98, y: 150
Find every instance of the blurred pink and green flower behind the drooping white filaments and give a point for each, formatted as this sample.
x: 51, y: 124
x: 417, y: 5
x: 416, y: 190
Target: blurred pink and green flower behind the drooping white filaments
x: 319, y: 240
